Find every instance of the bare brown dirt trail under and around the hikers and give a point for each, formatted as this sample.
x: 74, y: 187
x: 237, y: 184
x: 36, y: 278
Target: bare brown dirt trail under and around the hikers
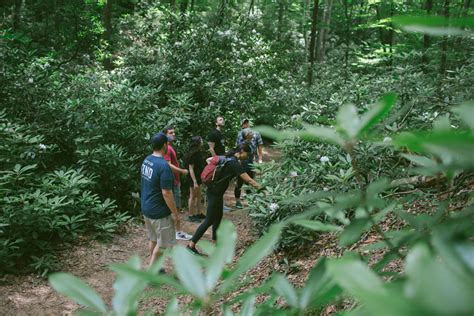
x: 32, y: 295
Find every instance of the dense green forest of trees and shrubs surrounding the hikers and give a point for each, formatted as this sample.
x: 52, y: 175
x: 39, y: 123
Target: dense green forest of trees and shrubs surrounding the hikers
x: 367, y: 106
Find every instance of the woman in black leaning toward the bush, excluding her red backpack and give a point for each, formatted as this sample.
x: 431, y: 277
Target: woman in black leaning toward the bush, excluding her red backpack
x: 215, y: 192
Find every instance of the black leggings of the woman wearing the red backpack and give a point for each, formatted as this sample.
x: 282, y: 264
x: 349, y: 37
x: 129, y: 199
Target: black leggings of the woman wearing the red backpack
x: 215, y: 210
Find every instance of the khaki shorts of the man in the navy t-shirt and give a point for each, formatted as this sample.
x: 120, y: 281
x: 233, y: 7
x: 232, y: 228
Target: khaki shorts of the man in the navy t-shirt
x: 161, y: 231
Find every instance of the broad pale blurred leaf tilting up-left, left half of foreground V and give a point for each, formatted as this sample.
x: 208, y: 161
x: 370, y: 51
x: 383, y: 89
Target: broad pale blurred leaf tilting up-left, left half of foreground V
x: 189, y: 272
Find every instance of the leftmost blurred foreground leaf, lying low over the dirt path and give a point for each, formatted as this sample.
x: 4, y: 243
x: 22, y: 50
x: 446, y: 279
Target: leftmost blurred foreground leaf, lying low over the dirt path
x: 77, y: 290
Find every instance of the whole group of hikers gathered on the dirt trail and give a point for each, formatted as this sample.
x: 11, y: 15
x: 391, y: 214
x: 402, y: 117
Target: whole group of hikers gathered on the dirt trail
x: 161, y: 184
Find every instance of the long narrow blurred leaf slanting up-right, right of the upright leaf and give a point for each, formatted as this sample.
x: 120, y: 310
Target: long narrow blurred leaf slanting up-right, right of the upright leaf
x: 254, y: 255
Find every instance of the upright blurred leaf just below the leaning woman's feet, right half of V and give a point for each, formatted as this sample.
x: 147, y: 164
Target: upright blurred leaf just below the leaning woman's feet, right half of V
x: 224, y: 253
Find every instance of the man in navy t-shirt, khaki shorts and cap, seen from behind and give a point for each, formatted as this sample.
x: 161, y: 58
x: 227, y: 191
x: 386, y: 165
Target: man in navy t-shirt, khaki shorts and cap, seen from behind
x: 157, y: 202
